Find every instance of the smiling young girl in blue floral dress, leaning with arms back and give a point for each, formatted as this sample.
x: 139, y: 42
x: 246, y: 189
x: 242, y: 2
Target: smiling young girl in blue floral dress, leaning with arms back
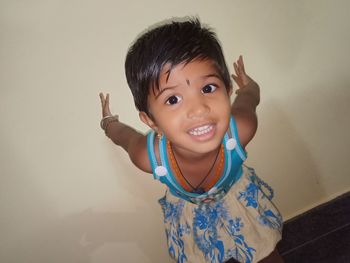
x: 215, y: 208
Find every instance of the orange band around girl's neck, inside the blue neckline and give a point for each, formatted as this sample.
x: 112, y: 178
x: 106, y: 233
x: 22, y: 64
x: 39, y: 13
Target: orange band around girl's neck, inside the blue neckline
x: 184, y: 181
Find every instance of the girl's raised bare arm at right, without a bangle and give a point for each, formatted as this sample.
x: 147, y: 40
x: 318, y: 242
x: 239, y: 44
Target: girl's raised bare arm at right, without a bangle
x: 244, y: 106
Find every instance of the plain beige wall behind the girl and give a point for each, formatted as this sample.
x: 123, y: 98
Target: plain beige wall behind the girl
x: 68, y: 195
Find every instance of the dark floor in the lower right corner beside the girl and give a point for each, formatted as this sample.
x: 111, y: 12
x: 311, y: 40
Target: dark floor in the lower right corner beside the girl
x: 319, y: 235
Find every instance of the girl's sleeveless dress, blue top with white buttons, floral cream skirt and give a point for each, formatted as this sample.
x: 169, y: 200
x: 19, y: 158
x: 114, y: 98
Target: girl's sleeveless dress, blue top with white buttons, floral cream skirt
x: 235, y: 219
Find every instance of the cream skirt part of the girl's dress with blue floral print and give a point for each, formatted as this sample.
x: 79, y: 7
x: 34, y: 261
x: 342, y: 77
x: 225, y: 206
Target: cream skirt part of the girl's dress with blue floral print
x: 214, y: 229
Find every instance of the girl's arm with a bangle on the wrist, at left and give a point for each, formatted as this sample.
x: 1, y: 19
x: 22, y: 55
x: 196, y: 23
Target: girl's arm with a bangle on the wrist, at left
x: 132, y: 141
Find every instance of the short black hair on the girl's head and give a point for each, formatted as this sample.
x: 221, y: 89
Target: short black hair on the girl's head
x: 171, y: 44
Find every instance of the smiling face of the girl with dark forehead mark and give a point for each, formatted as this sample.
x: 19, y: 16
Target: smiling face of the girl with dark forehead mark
x: 191, y: 107
